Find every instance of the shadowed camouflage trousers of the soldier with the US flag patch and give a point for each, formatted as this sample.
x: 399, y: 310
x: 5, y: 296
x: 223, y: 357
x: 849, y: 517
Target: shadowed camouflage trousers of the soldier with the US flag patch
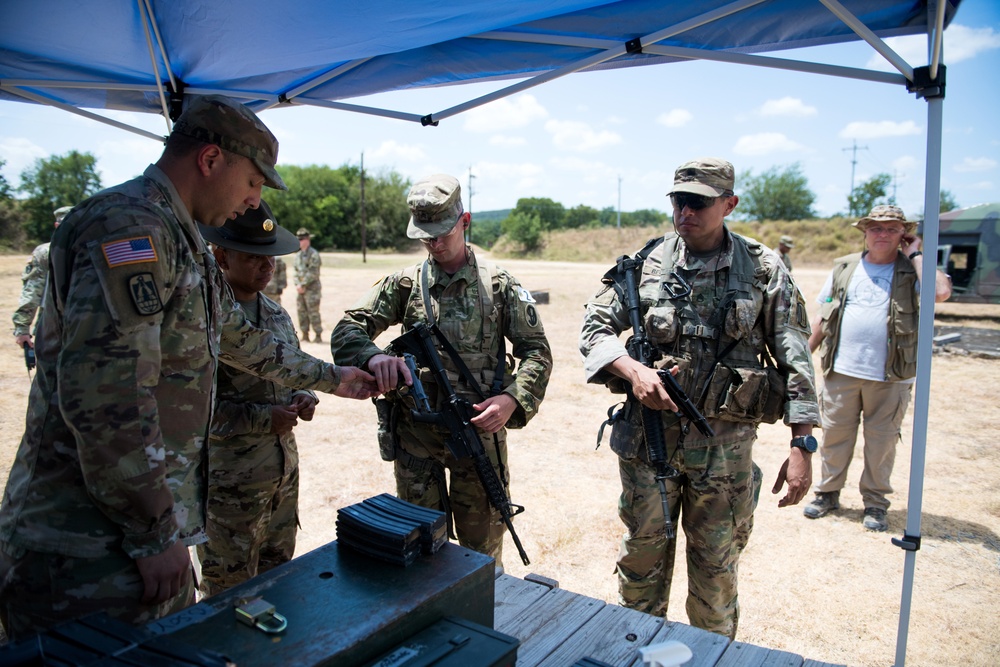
x: 40, y: 590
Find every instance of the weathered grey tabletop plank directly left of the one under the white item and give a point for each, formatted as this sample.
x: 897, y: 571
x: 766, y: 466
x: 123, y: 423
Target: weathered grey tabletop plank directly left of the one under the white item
x: 614, y: 635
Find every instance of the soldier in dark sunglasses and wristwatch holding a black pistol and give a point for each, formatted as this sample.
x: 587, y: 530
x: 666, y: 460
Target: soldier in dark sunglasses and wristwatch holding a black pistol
x: 714, y: 303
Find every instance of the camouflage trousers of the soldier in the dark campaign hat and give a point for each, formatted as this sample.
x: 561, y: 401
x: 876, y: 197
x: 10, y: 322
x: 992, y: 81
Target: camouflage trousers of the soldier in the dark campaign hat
x: 251, y: 527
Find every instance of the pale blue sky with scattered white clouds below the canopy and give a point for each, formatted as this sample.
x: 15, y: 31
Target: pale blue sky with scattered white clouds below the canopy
x: 590, y: 138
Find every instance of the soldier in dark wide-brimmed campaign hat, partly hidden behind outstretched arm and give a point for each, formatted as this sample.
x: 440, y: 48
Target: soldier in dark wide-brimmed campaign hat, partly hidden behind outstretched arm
x: 253, y: 462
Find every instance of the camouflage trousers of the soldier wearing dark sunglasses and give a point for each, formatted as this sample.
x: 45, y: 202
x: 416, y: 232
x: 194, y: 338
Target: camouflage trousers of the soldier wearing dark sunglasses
x: 715, y: 498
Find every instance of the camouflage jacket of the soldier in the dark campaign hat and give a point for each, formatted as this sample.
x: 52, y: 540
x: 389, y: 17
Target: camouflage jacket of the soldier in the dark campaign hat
x: 241, y: 425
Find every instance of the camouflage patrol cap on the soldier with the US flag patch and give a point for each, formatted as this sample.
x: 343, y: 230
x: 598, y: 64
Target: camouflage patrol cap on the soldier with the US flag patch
x: 219, y: 120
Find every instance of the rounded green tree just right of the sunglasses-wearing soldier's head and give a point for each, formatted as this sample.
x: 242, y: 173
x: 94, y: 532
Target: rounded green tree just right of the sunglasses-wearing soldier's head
x: 776, y: 194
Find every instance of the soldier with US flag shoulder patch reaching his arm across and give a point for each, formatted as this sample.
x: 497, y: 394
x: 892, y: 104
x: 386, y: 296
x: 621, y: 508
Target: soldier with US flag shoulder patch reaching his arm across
x: 107, y: 489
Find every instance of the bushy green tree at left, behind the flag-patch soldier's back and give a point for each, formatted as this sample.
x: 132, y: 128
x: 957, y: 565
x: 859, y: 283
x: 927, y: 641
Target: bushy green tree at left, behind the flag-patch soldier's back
x: 61, y: 180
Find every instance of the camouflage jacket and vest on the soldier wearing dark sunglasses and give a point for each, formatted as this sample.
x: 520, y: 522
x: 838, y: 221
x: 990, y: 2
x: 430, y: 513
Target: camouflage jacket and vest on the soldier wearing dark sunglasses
x: 742, y: 297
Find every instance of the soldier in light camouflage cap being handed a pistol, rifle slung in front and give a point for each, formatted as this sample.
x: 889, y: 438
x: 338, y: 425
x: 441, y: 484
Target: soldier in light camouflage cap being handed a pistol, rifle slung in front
x: 478, y: 306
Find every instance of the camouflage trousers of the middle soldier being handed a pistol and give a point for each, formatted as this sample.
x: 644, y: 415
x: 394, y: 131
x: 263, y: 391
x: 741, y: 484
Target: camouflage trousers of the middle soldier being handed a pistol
x: 420, y: 479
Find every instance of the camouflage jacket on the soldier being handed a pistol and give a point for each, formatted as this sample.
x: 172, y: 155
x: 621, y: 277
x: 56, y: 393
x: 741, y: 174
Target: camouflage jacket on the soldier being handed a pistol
x: 458, y: 309
